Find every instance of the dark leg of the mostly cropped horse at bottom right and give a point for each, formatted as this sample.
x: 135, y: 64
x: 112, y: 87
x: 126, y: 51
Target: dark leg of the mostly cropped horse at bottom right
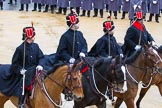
x: 142, y: 94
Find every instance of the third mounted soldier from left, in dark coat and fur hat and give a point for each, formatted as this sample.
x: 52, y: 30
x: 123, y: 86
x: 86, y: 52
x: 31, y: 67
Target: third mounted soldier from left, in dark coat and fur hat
x: 106, y: 46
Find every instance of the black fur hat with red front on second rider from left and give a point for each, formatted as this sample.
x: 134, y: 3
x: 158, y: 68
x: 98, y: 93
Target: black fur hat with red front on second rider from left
x: 72, y: 18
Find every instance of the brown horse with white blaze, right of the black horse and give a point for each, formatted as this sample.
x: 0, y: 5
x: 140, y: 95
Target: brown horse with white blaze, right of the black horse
x: 136, y: 71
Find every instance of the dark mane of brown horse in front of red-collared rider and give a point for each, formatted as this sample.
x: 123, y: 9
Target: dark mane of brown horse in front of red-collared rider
x: 133, y: 57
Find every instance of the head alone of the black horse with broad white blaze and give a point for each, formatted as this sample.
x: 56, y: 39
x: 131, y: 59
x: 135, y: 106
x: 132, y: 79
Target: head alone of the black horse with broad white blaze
x: 118, y: 74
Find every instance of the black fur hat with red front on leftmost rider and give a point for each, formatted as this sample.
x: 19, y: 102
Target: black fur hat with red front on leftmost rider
x: 28, y: 32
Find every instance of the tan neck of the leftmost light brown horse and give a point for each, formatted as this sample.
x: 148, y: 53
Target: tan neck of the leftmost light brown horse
x: 56, y: 86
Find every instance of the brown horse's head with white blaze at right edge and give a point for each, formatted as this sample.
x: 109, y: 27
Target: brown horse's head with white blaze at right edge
x: 152, y: 57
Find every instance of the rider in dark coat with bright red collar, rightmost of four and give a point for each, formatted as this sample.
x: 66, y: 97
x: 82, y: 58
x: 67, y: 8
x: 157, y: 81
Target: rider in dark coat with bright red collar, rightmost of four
x: 136, y: 35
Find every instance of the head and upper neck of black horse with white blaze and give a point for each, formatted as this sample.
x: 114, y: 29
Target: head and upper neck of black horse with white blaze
x: 114, y: 73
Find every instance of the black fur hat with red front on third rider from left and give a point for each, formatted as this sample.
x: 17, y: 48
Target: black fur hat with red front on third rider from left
x: 108, y: 25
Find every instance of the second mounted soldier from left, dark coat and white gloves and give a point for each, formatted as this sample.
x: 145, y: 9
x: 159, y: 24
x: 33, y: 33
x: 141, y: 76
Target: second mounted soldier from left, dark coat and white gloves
x: 72, y: 43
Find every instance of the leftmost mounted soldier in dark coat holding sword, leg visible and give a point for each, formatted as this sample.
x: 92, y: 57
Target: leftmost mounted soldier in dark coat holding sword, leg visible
x: 26, y: 60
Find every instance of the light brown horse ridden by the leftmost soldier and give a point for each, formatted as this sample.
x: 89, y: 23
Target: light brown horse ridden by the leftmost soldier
x: 48, y: 90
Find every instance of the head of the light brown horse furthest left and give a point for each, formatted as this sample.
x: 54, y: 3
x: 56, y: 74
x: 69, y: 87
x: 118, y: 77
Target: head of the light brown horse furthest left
x: 74, y: 81
